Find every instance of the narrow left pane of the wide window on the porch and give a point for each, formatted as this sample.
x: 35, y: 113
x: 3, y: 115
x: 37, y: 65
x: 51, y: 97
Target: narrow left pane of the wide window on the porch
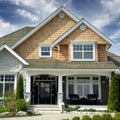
x: 70, y: 85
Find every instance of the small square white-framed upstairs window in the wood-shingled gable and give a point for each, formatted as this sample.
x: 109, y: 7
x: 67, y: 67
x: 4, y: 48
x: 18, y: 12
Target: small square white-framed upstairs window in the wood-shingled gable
x: 45, y: 51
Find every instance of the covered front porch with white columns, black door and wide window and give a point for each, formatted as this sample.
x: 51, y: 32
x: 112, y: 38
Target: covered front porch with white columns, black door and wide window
x: 65, y: 83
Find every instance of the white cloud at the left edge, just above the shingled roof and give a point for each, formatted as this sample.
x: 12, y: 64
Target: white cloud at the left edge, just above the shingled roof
x: 6, y: 27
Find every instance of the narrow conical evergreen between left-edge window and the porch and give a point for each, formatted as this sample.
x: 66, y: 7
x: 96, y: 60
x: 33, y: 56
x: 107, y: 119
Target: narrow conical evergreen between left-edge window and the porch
x: 20, y: 90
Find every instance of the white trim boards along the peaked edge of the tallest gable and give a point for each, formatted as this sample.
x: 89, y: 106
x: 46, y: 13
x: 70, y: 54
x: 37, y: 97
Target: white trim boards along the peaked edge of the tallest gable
x: 45, y: 22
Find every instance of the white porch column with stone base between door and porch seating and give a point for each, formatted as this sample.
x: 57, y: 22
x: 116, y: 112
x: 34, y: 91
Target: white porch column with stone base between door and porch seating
x: 60, y: 91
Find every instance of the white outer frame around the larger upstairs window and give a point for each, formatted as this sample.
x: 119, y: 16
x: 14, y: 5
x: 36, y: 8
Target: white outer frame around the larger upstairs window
x: 83, y: 43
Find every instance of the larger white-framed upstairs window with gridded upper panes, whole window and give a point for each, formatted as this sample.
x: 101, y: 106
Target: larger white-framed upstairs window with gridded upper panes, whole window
x: 83, y: 51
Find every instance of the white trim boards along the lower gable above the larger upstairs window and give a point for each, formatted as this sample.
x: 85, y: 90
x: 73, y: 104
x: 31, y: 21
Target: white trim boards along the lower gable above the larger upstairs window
x: 82, y: 21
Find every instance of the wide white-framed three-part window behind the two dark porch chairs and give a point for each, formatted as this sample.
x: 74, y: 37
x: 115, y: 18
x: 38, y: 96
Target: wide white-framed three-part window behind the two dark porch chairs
x: 83, y: 85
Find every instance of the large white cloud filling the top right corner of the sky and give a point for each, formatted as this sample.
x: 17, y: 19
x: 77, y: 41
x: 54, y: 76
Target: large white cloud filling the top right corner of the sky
x: 110, y: 12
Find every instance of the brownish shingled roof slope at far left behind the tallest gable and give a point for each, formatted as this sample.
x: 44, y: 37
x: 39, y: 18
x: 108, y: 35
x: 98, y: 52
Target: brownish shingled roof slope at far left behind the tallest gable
x: 13, y: 37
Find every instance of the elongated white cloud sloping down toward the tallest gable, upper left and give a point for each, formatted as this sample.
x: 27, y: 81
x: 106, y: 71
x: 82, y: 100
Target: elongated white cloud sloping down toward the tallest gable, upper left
x: 26, y: 14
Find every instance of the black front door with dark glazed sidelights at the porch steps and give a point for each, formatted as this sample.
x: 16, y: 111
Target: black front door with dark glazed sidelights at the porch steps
x: 44, y: 92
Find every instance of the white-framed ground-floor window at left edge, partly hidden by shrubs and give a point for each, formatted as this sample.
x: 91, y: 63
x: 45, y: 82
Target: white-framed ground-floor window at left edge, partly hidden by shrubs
x: 6, y: 84
